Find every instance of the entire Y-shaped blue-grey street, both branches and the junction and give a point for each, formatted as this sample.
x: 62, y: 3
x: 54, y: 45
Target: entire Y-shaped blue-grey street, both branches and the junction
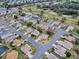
x: 41, y: 49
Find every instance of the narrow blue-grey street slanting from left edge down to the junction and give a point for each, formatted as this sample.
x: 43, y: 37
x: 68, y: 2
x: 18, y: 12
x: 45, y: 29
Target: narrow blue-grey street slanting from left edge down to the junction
x: 22, y: 35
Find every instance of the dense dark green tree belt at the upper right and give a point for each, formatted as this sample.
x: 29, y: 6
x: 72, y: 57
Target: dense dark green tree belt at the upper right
x: 68, y: 8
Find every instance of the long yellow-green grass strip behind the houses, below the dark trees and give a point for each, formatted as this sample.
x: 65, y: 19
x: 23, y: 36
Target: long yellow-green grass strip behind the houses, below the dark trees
x: 50, y: 14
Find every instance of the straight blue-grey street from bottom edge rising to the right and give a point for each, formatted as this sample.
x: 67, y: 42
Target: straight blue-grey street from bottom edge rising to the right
x: 43, y: 49
